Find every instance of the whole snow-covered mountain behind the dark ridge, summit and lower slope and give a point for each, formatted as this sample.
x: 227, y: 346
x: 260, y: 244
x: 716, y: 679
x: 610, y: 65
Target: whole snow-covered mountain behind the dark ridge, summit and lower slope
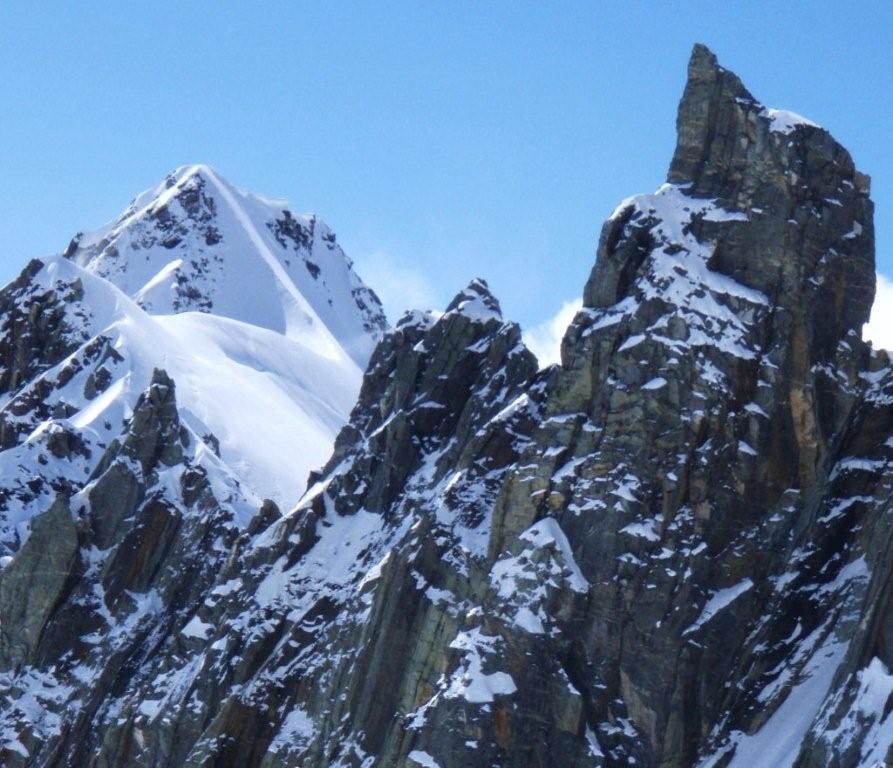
x: 254, y: 312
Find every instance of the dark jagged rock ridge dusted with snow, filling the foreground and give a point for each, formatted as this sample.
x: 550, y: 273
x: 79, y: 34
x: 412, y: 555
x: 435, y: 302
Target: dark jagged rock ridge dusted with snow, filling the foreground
x: 674, y: 549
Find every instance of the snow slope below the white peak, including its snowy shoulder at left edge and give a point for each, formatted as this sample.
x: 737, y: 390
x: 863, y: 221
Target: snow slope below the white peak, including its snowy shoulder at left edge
x: 269, y: 403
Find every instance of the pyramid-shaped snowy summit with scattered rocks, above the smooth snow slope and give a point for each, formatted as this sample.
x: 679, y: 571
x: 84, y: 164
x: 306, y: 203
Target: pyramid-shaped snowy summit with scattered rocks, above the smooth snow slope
x: 195, y: 242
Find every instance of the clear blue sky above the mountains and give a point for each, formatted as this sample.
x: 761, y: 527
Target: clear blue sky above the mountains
x: 440, y: 140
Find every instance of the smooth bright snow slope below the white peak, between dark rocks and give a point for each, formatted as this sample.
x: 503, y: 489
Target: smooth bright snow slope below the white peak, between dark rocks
x: 273, y: 403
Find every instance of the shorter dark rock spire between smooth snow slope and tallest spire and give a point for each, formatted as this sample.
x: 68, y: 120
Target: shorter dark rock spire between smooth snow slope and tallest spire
x: 432, y: 378
